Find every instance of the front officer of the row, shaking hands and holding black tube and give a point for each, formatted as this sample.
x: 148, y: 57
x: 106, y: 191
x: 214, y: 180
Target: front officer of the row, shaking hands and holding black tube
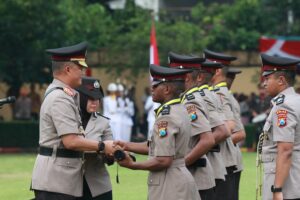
x: 168, y: 177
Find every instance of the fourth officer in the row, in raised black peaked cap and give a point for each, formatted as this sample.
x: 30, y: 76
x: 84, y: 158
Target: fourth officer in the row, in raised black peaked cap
x: 228, y: 150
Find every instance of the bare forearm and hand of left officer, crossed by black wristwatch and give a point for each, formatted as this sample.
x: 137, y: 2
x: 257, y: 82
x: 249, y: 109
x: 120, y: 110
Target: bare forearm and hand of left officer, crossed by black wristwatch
x: 78, y: 143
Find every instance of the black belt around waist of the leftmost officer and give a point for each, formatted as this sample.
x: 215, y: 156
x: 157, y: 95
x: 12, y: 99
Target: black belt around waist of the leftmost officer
x: 64, y: 153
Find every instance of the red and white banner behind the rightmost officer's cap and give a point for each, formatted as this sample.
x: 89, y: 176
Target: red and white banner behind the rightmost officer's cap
x: 280, y: 46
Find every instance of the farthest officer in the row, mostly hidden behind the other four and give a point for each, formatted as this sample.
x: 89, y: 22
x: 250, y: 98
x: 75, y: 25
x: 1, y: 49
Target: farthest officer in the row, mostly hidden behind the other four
x: 238, y: 133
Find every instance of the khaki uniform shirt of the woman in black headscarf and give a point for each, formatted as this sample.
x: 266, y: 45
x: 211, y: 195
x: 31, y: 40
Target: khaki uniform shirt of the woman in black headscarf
x: 95, y: 172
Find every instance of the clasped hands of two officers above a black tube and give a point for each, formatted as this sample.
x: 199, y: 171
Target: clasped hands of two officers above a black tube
x: 116, y: 149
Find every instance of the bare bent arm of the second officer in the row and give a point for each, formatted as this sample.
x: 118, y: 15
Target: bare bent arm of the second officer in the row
x: 205, y: 143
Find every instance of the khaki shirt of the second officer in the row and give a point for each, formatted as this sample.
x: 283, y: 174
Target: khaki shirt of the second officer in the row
x: 193, y: 102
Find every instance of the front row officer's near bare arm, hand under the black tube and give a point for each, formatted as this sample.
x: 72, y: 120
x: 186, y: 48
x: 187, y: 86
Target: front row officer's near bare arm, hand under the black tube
x: 153, y: 164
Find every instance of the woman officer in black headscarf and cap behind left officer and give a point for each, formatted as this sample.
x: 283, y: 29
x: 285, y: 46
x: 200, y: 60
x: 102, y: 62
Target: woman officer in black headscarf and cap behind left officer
x: 96, y: 180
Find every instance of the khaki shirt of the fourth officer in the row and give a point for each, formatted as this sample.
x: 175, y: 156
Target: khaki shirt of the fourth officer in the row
x: 227, y: 147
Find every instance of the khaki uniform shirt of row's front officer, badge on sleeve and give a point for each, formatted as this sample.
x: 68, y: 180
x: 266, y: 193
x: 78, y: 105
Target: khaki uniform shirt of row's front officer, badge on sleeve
x: 171, y: 134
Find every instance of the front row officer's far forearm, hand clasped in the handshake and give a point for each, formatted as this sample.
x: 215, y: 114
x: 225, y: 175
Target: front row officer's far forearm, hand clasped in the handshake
x: 139, y: 148
